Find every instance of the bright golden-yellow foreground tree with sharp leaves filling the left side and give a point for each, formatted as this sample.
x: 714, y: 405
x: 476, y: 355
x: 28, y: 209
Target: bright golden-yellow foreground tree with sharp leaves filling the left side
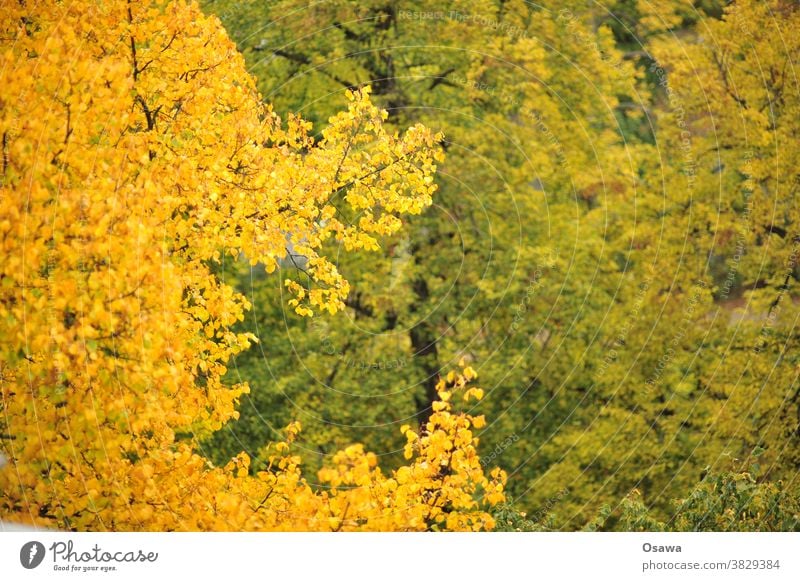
x: 137, y: 156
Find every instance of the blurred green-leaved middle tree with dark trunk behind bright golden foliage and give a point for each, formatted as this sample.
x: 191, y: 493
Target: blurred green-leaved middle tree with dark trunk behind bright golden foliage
x: 506, y: 272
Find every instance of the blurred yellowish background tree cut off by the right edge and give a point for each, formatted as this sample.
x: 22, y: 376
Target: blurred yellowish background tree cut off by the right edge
x: 734, y: 82
